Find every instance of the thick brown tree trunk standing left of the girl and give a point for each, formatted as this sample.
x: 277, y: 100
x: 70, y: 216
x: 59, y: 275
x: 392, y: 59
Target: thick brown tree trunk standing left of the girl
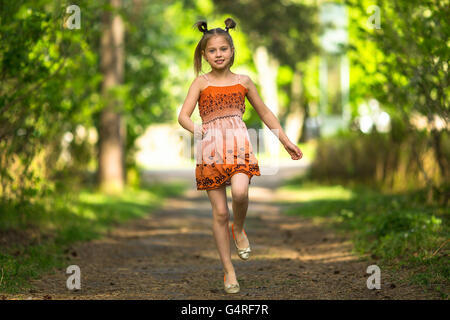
x: 111, y: 137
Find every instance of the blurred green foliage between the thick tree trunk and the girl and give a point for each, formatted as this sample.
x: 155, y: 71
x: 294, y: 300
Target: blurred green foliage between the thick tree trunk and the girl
x: 153, y: 47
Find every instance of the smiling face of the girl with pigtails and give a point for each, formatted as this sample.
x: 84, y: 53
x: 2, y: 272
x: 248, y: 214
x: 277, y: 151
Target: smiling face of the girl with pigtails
x: 218, y: 52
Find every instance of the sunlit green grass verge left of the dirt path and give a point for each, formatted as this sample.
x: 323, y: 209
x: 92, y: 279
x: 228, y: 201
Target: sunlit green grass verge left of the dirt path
x: 39, y: 234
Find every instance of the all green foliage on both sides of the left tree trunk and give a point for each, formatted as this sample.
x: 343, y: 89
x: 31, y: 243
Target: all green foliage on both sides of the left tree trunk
x: 51, y: 82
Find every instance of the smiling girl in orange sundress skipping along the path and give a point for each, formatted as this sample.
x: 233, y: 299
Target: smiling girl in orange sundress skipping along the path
x: 221, y: 98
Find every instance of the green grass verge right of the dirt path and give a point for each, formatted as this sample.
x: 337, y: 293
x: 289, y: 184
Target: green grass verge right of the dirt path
x: 399, y: 231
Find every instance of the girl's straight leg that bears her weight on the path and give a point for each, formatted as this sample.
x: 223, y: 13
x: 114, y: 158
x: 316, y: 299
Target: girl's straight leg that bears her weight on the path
x: 221, y: 217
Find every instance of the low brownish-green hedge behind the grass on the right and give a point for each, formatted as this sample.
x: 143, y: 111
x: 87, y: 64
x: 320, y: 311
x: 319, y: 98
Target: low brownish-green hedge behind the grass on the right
x: 385, y: 160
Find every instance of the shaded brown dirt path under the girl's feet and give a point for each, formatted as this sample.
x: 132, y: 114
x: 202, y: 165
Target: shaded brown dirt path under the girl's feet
x: 171, y: 255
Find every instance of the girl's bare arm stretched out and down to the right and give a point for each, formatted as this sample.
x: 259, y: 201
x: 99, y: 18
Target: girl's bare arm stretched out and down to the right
x: 269, y: 118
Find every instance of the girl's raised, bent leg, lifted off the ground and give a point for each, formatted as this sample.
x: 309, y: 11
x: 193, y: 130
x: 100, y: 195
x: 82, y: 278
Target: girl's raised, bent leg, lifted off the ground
x: 239, y: 192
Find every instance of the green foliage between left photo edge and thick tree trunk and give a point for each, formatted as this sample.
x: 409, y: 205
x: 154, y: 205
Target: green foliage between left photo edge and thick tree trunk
x: 48, y: 78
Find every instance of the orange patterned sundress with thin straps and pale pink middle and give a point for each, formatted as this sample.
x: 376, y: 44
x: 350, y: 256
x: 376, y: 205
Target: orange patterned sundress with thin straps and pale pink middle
x: 225, y: 148
